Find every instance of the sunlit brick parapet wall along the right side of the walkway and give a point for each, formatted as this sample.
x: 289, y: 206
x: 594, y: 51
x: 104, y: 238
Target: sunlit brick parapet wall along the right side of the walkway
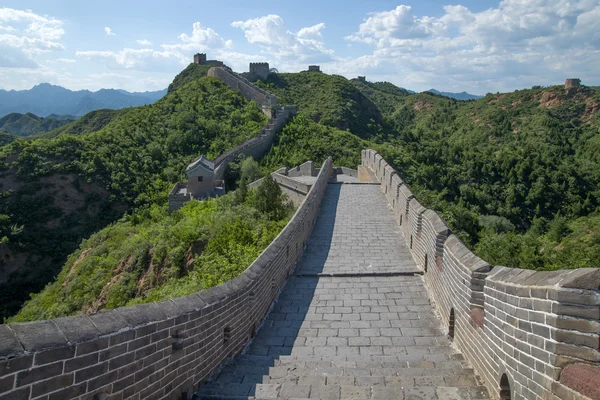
x: 528, y: 334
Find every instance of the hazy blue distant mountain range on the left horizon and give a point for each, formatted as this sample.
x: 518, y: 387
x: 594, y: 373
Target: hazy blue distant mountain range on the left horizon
x: 46, y: 99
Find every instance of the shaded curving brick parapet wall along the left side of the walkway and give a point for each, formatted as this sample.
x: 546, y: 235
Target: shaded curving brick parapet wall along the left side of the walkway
x: 158, y: 350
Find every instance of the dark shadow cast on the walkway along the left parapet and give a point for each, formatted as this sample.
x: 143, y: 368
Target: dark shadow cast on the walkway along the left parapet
x: 282, y: 334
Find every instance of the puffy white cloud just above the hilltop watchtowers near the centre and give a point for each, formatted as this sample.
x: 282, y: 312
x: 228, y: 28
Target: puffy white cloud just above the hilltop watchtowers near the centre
x: 271, y: 33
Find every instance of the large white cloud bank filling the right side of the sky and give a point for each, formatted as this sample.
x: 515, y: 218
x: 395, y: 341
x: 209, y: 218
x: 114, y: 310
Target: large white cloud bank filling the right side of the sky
x: 517, y: 44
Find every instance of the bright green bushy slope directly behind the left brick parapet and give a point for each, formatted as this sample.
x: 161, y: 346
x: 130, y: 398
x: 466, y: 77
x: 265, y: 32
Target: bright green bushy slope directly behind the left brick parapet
x: 154, y: 255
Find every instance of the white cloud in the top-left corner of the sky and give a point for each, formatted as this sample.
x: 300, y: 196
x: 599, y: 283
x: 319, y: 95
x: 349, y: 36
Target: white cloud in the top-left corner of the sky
x: 27, y: 36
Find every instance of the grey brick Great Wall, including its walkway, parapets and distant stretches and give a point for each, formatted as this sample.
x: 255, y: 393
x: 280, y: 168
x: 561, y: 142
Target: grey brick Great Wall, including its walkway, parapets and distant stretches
x: 364, y: 294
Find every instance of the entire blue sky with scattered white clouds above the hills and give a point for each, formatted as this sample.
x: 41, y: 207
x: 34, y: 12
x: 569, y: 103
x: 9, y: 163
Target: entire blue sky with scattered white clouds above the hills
x: 478, y: 46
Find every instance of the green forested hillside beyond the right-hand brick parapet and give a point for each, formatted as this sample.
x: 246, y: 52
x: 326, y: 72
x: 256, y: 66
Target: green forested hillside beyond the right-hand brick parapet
x: 516, y: 175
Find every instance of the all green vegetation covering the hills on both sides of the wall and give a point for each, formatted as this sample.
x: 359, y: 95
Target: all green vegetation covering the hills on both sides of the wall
x: 516, y: 176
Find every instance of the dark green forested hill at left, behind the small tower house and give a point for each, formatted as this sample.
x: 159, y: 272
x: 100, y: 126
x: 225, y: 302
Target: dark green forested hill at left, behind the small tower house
x: 57, y: 192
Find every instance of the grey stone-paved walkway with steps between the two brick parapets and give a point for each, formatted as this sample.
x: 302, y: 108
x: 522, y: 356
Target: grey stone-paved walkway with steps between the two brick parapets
x: 344, y: 327
